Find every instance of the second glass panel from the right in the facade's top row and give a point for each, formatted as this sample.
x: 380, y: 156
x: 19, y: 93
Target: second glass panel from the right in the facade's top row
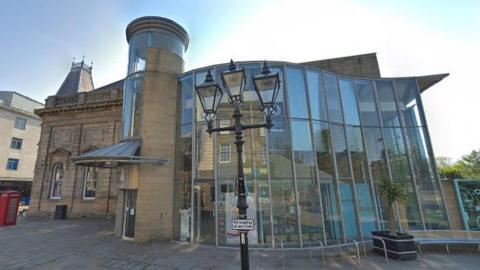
x: 388, y: 108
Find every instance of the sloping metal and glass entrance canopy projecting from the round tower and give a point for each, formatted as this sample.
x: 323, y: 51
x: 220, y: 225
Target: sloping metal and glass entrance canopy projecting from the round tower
x: 121, y: 153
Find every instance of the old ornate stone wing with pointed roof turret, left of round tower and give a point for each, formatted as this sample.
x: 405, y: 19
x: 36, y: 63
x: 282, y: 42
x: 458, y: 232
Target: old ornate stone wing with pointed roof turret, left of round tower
x: 77, y: 119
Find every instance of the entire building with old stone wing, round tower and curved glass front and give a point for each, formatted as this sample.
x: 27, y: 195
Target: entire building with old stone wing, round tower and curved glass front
x: 340, y: 130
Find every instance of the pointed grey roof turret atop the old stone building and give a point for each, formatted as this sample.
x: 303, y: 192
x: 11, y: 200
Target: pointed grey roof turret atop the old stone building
x: 79, y: 79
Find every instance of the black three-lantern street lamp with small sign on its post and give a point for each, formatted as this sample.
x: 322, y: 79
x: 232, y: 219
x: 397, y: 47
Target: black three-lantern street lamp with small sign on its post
x: 267, y: 86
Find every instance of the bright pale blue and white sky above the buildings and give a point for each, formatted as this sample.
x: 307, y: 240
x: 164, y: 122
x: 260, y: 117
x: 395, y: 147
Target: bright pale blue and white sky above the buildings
x: 38, y: 40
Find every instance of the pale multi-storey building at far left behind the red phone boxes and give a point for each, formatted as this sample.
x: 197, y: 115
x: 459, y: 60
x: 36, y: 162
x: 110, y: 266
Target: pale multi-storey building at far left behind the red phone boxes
x: 19, y: 135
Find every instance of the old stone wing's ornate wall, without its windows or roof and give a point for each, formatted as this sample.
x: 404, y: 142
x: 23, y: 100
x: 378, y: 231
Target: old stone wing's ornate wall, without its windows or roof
x: 68, y: 131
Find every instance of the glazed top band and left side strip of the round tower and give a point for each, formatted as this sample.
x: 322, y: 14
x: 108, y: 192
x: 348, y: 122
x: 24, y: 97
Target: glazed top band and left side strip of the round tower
x: 137, y: 60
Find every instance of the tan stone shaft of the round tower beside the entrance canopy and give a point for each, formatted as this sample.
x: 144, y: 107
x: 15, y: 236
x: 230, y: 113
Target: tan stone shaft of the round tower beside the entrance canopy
x: 154, y: 217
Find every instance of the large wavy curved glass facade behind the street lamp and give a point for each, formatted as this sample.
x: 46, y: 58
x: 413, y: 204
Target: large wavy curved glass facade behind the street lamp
x: 313, y: 175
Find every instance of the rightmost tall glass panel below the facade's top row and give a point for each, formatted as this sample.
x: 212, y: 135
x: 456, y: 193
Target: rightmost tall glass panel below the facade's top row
x: 431, y: 199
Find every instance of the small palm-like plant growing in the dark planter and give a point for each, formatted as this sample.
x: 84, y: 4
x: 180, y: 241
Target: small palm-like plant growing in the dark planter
x: 392, y: 193
